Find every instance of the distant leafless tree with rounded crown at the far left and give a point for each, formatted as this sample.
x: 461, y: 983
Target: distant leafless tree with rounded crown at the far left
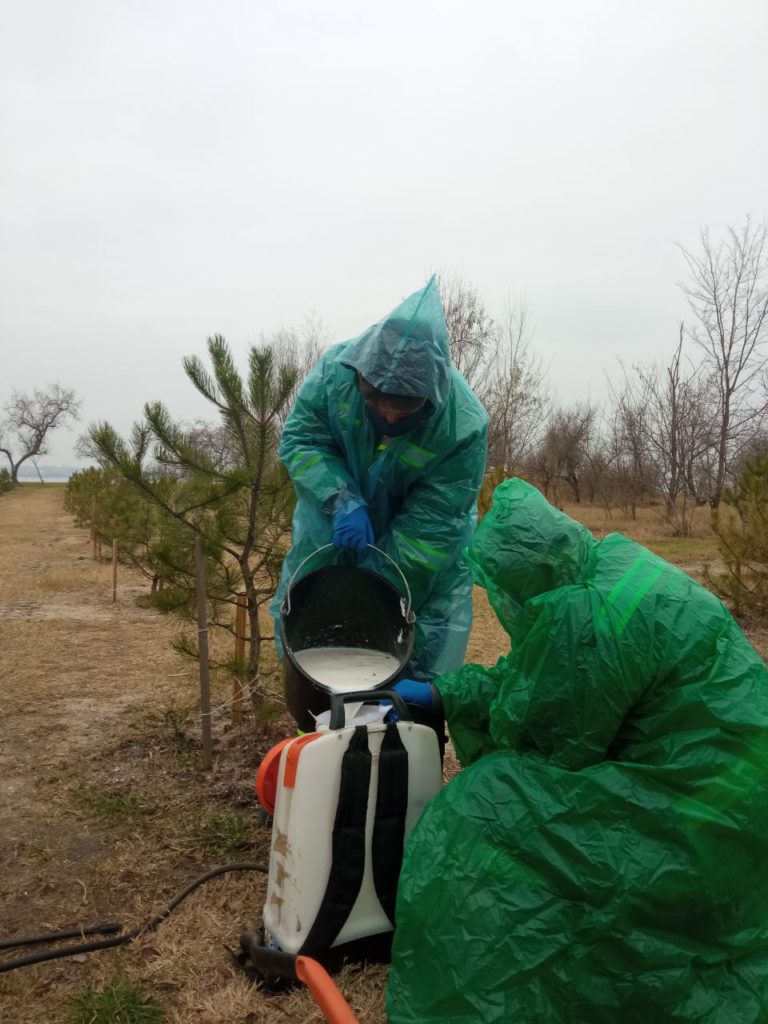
x: 29, y: 421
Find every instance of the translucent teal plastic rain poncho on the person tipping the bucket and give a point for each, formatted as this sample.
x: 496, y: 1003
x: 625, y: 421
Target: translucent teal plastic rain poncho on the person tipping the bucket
x: 420, y: 489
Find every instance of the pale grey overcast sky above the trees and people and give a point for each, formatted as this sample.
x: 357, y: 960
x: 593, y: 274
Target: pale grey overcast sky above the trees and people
x: 169, y: 170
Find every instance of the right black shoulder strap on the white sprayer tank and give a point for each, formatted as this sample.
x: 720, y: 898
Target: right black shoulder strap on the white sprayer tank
x: 390, y: 825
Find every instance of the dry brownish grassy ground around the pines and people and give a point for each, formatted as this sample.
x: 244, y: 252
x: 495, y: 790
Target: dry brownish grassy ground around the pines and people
x: 105, y: 809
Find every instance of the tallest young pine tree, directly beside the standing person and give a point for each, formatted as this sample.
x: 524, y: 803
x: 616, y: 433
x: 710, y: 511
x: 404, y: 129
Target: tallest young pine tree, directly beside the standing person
x: 235, y: 496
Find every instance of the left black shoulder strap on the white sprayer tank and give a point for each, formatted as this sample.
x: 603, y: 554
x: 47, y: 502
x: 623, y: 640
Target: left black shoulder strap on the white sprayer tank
x: 349, y: 846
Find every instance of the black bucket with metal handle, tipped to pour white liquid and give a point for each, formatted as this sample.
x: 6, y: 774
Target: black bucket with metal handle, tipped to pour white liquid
x: 340, y: 607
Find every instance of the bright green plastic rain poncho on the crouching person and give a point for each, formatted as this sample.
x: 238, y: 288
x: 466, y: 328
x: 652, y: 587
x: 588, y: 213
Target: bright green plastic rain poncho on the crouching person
x: 604, y: 859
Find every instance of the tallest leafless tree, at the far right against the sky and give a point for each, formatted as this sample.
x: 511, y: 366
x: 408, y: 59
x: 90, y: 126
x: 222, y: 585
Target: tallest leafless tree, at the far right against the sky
x: 728, y: 291
